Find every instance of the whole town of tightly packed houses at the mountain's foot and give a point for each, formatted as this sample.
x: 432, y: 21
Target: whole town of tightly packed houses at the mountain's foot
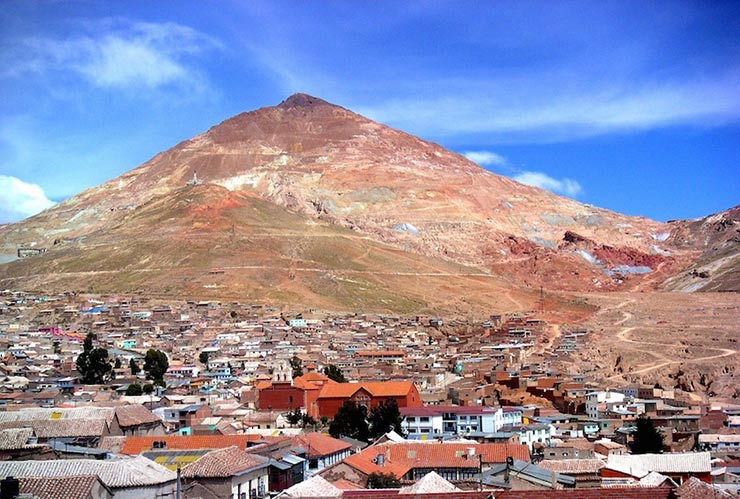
x: 123, y: 396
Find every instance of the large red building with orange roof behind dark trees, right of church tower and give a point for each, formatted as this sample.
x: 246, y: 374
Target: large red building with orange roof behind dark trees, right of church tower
x: 370, y: 394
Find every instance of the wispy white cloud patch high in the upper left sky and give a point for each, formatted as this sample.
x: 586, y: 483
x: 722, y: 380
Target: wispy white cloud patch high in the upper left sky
x: 118, y: 54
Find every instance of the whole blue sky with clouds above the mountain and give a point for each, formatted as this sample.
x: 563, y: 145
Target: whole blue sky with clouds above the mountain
x: 630, y: 106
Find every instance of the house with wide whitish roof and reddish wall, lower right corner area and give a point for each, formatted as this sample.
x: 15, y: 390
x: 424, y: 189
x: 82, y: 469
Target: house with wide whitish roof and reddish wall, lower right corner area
x: 679, y: 466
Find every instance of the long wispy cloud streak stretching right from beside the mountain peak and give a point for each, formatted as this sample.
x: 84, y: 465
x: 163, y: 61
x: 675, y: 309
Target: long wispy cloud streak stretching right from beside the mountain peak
x: 603, y: 108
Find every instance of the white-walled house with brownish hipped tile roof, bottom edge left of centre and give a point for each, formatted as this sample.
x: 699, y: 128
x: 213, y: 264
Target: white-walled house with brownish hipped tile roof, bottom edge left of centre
x: 228, y: 473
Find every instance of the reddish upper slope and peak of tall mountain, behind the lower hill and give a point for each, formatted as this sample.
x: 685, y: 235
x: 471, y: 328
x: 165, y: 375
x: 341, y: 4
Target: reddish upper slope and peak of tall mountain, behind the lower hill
x: 325, y: 162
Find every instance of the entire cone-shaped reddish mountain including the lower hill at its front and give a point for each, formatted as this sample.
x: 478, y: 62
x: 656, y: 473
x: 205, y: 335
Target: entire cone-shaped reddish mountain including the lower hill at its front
x: 376, y: 190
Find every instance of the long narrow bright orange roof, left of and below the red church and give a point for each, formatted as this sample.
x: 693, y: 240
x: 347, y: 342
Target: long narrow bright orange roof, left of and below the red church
x: 136, y: 445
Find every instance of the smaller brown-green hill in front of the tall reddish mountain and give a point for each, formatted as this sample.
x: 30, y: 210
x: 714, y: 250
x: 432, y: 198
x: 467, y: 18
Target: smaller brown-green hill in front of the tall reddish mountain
x: 206, y: 241
